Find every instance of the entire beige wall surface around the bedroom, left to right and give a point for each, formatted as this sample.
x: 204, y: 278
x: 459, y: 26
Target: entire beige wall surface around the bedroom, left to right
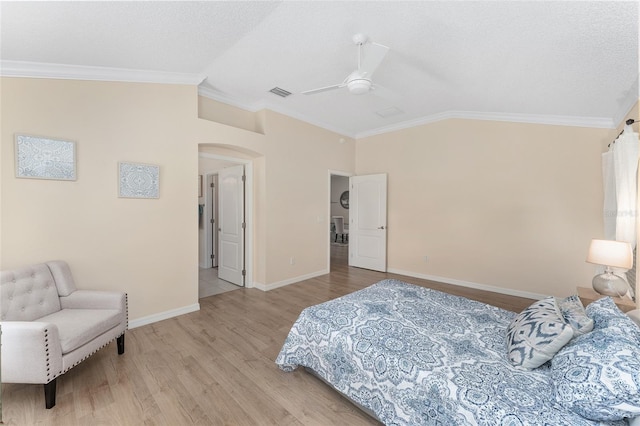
x: 502, y: 204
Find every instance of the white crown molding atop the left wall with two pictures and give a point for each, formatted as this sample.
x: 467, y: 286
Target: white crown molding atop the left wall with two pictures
x: 78, y: 72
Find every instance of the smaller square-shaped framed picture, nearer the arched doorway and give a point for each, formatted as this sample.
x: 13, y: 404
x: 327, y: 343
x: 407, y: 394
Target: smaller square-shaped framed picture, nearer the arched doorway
x: 138, y: 180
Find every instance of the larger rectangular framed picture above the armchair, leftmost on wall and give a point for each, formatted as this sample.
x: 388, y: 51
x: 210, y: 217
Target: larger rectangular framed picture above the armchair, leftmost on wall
x: 44, y: 158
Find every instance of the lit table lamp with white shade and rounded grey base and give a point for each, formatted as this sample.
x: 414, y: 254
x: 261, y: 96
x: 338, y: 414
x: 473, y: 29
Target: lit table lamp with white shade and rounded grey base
x: 610, y: 254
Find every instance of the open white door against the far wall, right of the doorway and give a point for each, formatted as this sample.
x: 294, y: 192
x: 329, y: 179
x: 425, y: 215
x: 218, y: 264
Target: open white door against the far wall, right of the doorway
x: 368, y: 222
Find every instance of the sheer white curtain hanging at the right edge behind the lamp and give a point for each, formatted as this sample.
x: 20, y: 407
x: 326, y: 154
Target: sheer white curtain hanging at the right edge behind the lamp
x: 620, y: 171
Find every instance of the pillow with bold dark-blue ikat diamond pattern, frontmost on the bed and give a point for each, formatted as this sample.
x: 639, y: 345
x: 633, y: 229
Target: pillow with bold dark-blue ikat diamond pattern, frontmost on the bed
x: 536, y: 334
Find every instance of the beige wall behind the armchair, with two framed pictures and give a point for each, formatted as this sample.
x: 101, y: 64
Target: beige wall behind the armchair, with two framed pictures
x: 147, y: 248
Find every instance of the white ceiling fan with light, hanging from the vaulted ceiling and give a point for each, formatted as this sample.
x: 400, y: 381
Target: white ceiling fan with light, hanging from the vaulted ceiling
x: 359, y: 81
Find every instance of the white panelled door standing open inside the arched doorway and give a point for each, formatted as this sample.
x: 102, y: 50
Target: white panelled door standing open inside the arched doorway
x: 231, y: 224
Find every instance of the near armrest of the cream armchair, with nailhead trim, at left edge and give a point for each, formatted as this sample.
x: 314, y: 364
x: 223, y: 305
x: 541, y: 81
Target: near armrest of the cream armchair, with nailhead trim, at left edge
x: 31, y: 352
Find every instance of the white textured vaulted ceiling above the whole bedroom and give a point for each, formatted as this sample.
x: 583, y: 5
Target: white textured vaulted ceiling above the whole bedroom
x: 571, y: 63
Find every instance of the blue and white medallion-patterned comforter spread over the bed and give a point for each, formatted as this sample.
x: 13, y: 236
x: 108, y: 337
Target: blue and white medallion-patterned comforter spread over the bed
x: 416, y: 356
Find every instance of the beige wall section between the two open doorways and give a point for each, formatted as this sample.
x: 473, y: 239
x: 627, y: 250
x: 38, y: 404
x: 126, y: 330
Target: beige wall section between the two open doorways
x: 291, y: 190
